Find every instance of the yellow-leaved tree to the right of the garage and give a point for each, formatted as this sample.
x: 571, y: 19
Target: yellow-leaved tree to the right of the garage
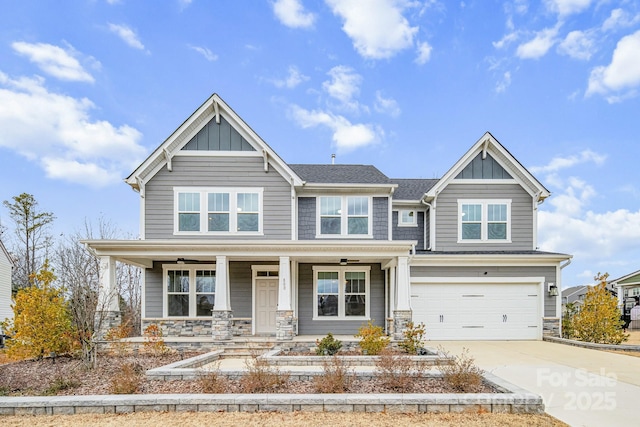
x: 598, y: 319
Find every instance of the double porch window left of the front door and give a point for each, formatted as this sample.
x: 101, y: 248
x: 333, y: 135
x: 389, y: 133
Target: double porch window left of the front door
x: 190, y: 290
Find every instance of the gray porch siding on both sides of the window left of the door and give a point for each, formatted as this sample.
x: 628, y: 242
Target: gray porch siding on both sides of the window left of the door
x: 240, y: 289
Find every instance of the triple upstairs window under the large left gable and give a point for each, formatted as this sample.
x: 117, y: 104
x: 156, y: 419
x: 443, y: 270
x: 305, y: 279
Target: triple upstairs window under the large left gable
x: 218, y: 210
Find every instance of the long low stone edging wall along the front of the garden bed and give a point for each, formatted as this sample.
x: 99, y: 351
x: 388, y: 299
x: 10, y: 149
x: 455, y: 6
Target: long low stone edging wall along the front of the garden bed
x: 513, y: 400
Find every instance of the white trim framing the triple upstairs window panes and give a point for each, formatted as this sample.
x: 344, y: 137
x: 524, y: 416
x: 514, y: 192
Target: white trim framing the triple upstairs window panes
x: 204, y: 210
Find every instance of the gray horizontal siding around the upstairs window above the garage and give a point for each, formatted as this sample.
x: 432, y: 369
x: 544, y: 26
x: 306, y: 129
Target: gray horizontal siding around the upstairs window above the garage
x: 447, y: 216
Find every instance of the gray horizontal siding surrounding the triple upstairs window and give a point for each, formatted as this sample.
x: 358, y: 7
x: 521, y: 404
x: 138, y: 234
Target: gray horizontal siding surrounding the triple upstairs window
x: 205, y: 171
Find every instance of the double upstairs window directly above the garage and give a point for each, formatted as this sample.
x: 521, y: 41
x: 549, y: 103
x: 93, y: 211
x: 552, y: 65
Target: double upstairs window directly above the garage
x: 484, y: 221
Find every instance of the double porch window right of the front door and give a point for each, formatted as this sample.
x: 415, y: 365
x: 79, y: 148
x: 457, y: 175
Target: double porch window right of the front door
x: 341, y: 293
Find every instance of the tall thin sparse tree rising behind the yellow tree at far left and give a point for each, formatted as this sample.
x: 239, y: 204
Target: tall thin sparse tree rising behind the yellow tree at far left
x: 31, y: 232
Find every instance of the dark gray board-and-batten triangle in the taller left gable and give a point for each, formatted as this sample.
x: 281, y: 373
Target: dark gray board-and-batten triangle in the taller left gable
x: 218, y: 137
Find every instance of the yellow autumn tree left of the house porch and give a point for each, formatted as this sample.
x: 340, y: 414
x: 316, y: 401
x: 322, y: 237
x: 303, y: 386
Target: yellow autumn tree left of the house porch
x: 41, y: 323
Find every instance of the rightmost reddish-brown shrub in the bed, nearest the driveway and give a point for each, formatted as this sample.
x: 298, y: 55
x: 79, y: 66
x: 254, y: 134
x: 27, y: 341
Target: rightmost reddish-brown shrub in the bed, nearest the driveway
x: 460, y: 372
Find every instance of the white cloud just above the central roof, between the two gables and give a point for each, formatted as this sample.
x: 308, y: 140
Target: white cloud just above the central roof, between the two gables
x: 346, y: 135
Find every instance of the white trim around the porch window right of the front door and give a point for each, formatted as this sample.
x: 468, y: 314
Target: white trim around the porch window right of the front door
x: 341, y: 270
